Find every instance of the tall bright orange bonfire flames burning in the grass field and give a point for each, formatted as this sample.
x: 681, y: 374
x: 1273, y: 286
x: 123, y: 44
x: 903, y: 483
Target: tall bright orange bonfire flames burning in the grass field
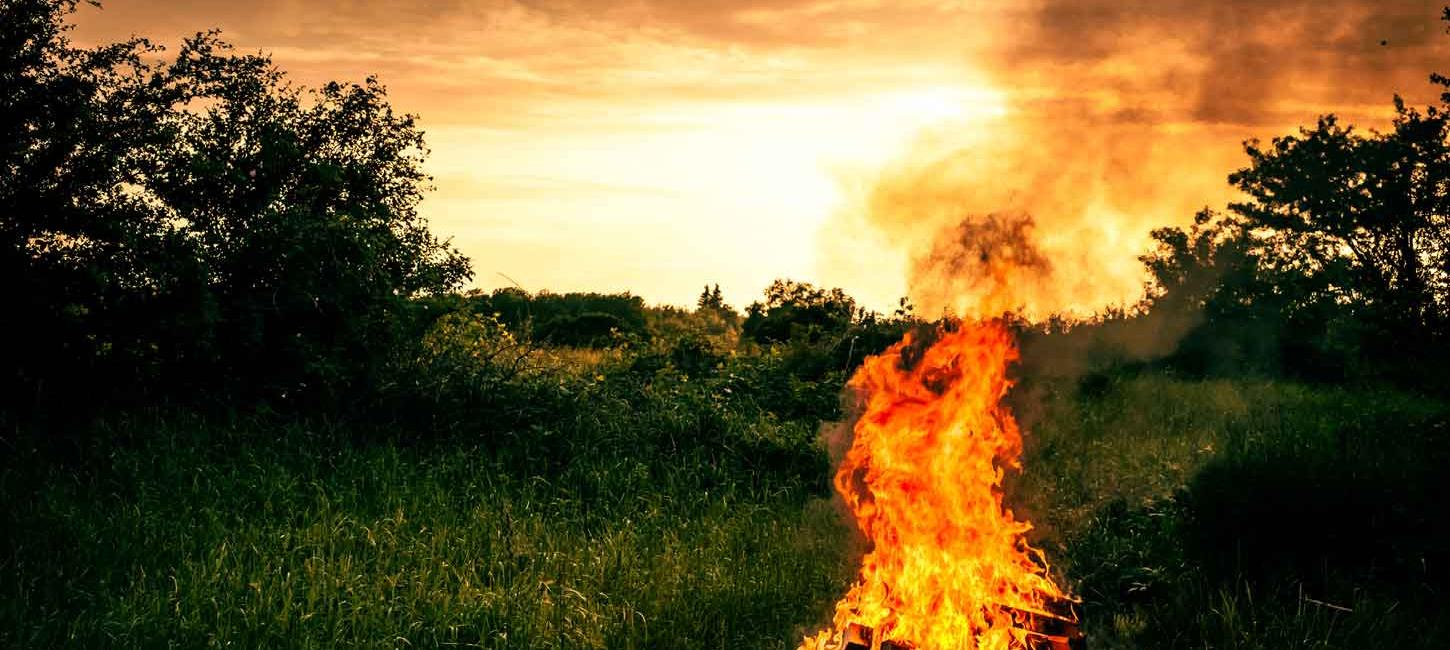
x: 949, y: 565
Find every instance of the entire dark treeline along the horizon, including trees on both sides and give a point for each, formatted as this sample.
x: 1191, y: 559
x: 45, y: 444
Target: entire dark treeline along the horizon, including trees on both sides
x: 194, y: 229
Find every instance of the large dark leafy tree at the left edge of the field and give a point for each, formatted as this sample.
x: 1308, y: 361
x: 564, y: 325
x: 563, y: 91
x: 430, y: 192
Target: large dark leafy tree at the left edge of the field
x: 202, y: 221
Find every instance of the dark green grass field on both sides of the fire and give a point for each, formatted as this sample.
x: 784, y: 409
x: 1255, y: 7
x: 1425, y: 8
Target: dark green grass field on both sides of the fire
x: 1187, y: 514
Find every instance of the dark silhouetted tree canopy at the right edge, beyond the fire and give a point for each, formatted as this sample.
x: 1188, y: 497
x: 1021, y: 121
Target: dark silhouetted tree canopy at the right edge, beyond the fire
x: 1339, y: 262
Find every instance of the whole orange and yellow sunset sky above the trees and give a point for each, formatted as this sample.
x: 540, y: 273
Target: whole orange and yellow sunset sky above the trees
x: 659, y: 146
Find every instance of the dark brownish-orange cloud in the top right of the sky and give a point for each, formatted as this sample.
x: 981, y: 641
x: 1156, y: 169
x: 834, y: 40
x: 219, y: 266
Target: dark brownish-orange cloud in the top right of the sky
x: 1233, y: 62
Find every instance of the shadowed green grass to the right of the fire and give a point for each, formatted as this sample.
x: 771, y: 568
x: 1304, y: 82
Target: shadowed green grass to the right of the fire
x: 1245, y: 514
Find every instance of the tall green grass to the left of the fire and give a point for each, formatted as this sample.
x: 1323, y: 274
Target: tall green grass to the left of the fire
x: 198, y: 538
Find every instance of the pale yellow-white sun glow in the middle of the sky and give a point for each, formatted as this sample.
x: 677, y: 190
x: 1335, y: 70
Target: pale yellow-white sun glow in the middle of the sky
x: 701, y: 184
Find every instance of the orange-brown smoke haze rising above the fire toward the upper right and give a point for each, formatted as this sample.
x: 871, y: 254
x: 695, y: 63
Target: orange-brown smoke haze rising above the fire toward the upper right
x: 1124, y: 117
